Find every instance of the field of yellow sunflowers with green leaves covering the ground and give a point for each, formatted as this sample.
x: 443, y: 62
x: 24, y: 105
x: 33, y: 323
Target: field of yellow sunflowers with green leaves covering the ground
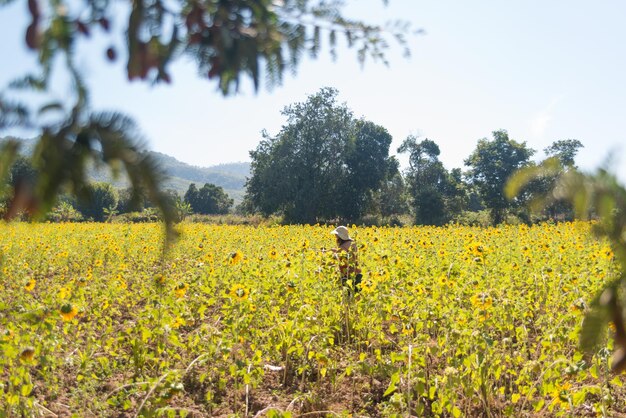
x: 96, y: 321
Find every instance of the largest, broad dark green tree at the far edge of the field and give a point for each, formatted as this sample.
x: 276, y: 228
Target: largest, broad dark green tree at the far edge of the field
x: 323, y: 164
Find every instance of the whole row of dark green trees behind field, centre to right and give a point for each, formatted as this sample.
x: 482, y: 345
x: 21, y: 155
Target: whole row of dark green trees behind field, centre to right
x: 326, y: 165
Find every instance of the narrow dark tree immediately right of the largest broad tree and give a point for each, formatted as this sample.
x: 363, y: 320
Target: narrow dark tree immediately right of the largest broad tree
x: 428, y: 181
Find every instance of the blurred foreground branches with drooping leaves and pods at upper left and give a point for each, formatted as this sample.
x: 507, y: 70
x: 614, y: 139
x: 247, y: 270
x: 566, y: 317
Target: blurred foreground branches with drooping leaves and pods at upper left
x: 227, y: 40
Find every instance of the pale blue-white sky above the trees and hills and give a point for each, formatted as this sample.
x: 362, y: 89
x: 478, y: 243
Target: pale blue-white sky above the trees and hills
x: 542, y: 70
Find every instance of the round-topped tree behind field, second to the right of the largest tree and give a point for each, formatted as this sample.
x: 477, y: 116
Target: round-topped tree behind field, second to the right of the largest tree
x: 491, y: 164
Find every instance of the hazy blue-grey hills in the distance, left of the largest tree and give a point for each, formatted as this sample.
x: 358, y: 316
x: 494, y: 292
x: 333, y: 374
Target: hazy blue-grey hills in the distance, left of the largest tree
x: 231, y: 176
